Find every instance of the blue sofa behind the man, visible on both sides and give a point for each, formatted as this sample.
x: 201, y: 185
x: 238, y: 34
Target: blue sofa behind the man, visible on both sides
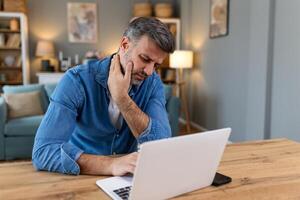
x: 17, y: 135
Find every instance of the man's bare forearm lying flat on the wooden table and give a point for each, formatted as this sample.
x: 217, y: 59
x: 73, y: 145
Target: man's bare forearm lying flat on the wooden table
x: 95, y: 165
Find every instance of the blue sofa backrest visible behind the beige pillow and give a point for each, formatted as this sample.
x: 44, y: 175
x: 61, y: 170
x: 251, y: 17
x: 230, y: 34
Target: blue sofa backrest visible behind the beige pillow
x: 29, y: 88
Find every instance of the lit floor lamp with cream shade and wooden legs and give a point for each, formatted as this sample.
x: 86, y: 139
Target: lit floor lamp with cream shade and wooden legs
x: 182, y: 59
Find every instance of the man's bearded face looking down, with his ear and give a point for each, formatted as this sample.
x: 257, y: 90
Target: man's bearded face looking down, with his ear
x: 145, y: 56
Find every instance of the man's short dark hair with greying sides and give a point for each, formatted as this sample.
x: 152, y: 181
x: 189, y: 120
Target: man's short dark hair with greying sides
x: 154, y: 29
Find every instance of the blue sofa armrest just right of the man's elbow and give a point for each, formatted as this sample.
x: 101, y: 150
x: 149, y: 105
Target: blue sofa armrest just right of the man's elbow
x: 173, y: 109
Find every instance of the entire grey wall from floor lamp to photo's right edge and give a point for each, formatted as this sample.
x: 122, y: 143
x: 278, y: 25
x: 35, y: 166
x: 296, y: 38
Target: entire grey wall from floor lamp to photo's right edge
x: 248, y: 80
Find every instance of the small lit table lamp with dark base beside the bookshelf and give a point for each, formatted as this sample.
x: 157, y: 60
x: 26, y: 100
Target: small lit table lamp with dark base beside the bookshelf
x: 45, y: 50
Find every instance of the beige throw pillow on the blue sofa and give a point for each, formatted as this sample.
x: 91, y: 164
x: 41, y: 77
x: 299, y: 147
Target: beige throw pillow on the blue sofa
x: 23, y: 104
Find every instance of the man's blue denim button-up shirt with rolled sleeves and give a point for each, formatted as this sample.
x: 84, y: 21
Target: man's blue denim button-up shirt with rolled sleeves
x: 77, y: 120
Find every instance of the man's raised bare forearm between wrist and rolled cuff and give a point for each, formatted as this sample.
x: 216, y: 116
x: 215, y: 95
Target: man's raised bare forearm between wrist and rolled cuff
x: 136, y: 119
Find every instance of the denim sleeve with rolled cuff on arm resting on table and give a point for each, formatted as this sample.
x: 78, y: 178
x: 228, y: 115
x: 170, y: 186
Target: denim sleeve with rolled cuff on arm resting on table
x: 52, y: 150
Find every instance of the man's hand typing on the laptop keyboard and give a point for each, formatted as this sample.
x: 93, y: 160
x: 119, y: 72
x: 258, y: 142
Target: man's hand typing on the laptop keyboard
x: 124, y: 164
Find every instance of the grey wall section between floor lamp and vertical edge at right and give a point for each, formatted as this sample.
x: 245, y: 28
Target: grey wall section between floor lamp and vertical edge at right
x: 228, y: 83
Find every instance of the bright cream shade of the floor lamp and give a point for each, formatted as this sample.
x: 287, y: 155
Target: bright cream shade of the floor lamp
x: 181, y: 59
